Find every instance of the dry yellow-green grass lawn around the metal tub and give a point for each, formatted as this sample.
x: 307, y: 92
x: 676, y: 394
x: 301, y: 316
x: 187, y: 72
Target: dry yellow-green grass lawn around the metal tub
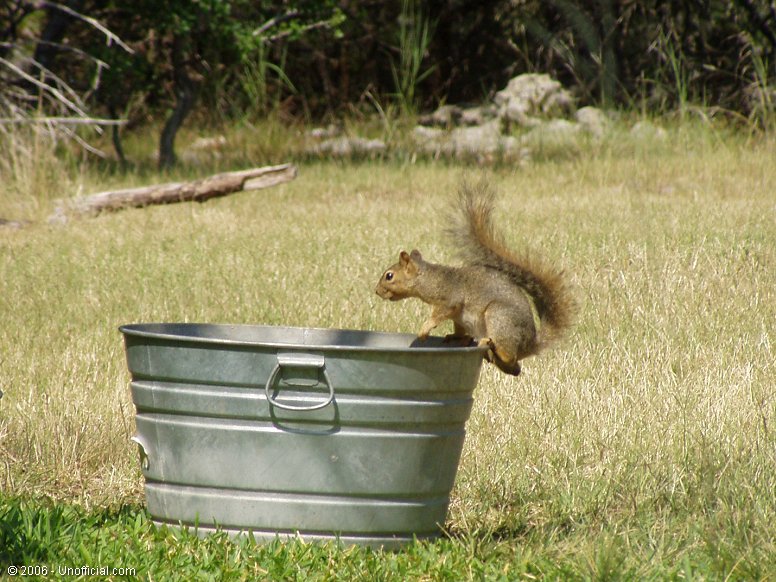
x: 641, y: 448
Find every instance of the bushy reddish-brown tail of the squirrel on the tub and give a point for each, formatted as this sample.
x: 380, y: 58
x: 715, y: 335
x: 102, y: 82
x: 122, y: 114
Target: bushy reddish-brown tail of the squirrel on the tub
x: 482, y: 245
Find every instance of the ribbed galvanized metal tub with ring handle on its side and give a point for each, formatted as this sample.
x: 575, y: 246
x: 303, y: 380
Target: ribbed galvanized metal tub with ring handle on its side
x: 327, y: 434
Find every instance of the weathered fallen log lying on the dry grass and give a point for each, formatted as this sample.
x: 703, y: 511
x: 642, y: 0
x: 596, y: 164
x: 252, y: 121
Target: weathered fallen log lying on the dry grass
x: 169, y: 193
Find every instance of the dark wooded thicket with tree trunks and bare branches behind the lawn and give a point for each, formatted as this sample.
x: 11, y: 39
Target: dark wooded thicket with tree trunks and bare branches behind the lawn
x: 306, y: 59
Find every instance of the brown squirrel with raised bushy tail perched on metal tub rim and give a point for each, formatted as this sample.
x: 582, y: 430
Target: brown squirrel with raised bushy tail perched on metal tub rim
x: 514, y: 306
